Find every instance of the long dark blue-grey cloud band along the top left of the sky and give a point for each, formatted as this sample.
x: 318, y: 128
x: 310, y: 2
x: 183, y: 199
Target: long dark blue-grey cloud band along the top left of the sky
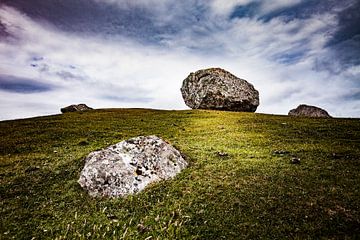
x: 90, y: 17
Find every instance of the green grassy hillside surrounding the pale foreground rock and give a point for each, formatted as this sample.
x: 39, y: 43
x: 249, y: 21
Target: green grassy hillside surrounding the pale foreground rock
x: 248, y: 191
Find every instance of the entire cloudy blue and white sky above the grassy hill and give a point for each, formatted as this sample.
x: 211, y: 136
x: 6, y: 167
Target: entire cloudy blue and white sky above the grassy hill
x: 136, y: 53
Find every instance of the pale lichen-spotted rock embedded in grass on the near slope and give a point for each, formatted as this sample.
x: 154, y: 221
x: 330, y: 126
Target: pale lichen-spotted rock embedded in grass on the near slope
x: 129, y: 166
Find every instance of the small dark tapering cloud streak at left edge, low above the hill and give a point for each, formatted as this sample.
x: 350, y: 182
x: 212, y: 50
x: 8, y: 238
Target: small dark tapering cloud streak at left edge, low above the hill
x: 22, y: 85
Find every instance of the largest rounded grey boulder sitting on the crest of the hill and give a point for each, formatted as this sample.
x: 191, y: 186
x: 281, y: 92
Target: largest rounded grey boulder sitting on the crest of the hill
x: 215, y: 88
